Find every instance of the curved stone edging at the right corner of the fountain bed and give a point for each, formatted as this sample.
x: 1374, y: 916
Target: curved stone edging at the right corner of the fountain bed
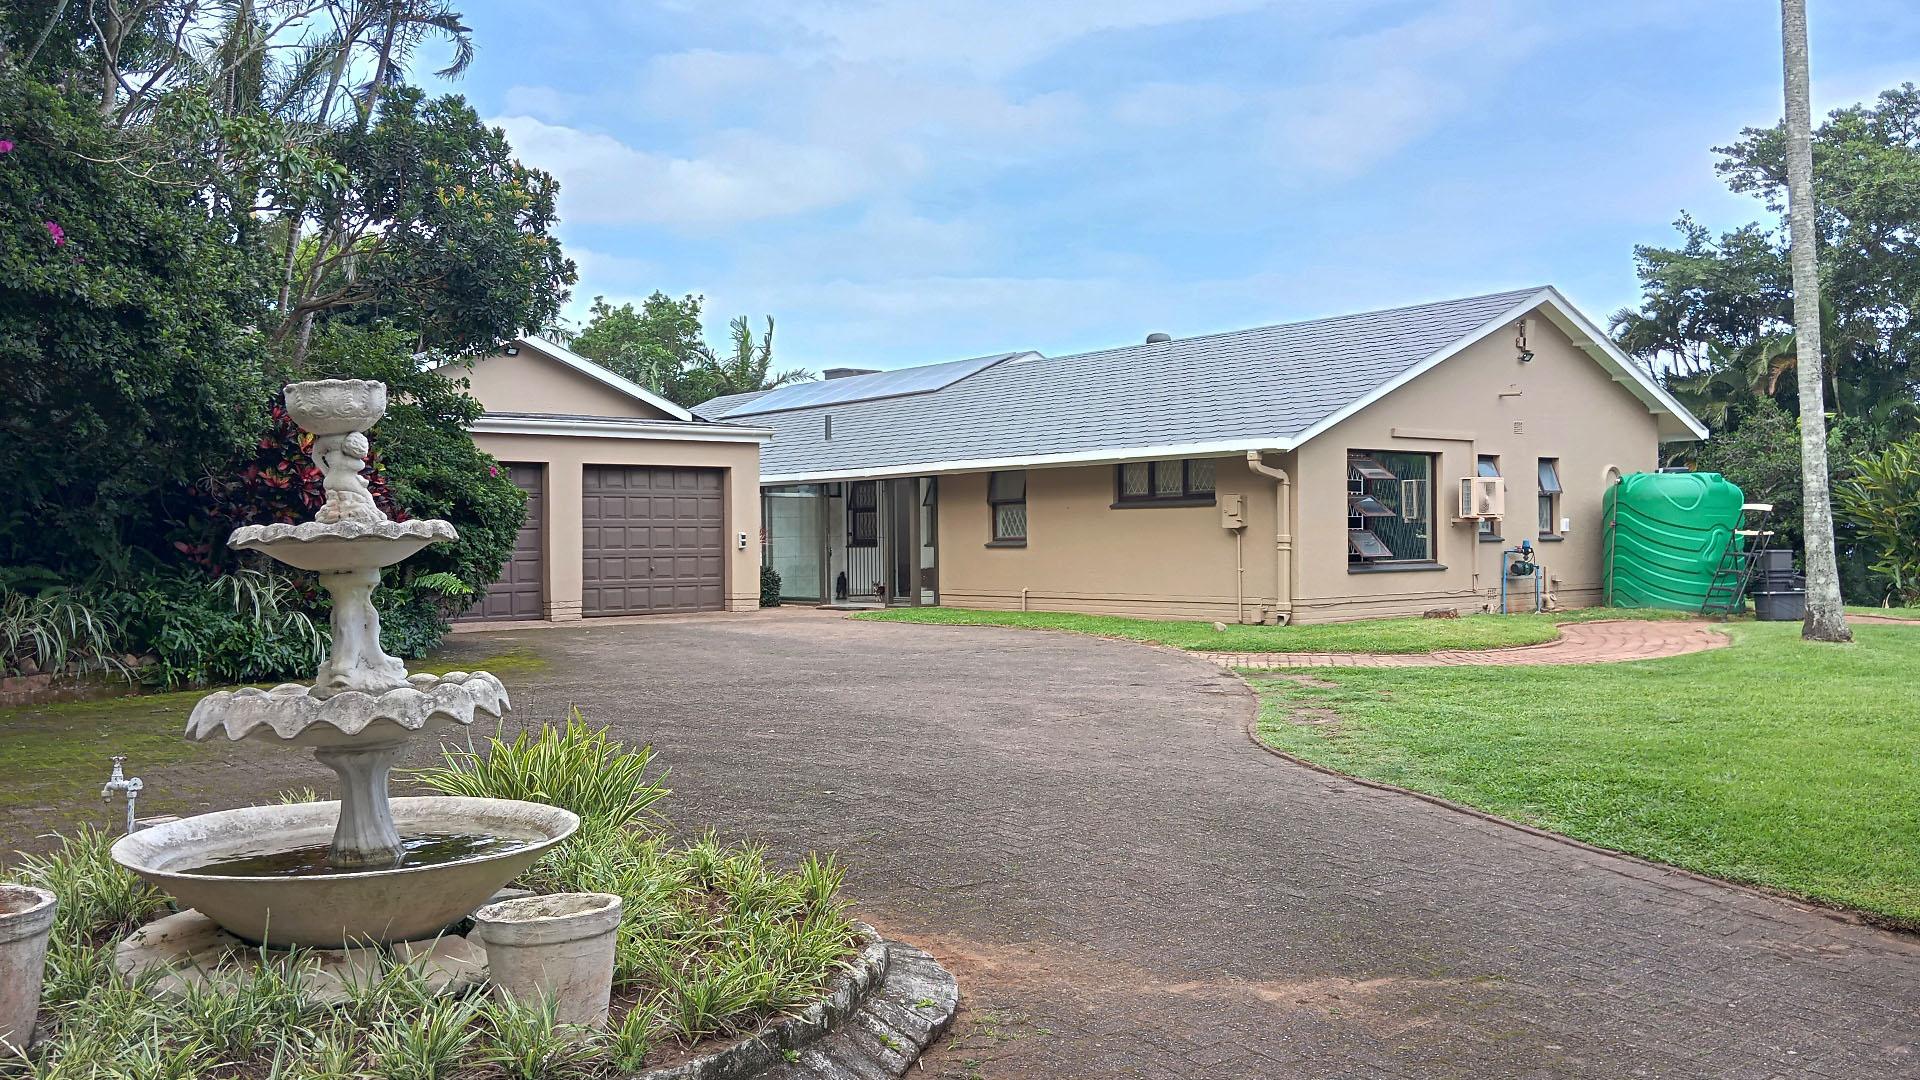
x: 876, y: 1021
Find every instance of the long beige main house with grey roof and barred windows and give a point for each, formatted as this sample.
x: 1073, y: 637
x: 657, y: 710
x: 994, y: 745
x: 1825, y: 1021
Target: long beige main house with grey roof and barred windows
x: 1349, y: 468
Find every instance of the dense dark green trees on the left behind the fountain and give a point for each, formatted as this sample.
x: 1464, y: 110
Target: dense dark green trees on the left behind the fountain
x: 201, y: 203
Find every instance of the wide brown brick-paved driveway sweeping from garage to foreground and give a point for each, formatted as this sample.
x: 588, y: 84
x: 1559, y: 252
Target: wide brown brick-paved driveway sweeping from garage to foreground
x: 1130, y: 889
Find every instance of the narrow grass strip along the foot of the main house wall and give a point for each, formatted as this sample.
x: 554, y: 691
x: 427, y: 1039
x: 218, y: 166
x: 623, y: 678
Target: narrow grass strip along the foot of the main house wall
x: 1368, y: 637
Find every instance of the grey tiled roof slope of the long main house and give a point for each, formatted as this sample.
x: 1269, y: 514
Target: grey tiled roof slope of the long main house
x: 1270, y: 383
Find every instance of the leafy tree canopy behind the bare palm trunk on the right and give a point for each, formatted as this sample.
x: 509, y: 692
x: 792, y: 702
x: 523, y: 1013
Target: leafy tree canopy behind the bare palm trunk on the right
x: 1717, y: 312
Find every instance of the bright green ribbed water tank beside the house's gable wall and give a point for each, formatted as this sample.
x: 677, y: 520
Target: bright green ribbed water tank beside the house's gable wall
x: 1666, y: 537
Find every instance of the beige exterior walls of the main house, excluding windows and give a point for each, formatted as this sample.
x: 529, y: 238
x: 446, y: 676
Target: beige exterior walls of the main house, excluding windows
x: 1178, y: 562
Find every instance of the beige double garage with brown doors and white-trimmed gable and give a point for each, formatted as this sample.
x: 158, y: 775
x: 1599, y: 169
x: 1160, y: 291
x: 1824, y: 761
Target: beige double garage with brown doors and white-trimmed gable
x: 635, y: 506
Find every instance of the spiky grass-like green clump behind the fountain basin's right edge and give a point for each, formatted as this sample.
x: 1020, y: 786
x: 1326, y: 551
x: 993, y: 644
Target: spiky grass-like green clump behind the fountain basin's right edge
x: 573, y: 768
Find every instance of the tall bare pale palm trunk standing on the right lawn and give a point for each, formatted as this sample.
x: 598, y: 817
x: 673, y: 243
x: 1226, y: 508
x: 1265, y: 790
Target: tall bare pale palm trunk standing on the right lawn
x: 1827, y: 620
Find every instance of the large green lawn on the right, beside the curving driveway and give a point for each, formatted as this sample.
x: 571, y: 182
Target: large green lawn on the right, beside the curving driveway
x: 1773, y: 762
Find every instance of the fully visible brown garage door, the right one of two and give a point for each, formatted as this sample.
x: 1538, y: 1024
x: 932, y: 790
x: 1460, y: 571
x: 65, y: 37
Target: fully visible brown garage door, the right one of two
x: 654, y: 541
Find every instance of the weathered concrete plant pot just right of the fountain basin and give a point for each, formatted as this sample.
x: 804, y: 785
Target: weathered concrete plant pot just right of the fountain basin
x: 554, y: 946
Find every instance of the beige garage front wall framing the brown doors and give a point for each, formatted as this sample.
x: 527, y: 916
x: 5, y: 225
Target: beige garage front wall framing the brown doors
x: 565, y: 460
